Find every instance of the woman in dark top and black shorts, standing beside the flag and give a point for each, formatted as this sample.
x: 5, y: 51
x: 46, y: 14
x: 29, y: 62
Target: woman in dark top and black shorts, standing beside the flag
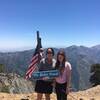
x: 44, y: 85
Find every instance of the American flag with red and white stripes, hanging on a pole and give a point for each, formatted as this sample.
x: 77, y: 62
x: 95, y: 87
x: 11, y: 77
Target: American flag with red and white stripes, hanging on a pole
x: 35, y: 59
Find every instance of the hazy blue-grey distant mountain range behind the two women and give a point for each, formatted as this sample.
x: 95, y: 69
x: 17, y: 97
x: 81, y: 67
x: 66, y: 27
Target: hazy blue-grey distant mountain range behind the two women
x: 80, y: 57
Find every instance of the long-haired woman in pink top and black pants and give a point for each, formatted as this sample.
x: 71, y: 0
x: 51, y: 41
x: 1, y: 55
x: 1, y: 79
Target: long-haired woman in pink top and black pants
x: 63, y: 80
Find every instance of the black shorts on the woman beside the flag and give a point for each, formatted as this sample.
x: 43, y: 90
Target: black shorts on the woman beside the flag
x: 43, y: 87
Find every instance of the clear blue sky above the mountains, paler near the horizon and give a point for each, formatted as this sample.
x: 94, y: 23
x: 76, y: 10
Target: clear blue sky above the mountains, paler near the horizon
x: 61, y: 23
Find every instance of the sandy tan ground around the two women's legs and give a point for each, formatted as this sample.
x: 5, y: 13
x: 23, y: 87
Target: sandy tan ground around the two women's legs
x: 90, y: 94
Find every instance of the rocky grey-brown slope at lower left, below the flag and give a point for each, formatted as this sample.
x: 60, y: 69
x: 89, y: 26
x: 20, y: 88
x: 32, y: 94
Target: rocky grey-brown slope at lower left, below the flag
x: 14, y: 83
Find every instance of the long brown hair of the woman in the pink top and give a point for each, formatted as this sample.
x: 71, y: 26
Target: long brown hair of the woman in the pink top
x: 61, y: 66
